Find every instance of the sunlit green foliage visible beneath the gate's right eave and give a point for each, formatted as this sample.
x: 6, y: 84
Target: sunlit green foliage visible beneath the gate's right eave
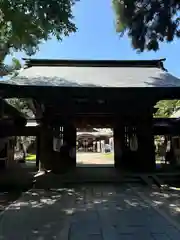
x: 166, y: 108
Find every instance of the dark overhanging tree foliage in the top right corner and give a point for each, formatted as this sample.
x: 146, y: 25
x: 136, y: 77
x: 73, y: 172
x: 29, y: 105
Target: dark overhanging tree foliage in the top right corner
x: 148, y: 22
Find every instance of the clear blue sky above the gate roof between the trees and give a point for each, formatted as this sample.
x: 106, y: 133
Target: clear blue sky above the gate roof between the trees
x: 96, y: 38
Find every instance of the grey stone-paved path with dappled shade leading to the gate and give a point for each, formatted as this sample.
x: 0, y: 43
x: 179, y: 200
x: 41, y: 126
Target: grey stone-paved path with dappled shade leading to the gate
x: 92, y: 212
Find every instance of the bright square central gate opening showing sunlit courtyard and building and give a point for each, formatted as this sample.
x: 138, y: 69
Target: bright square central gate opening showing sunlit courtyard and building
x: 95, y: 147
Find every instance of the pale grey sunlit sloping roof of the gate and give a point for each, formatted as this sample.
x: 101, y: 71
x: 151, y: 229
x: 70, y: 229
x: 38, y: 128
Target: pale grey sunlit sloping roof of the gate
x: 99, y: 75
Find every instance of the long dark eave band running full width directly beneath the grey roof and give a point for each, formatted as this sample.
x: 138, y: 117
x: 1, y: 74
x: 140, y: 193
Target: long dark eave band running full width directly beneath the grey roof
x: 54, y: 92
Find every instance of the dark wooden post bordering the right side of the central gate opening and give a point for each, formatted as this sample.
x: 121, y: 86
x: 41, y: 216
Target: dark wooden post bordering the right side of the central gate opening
x: 118, y: 145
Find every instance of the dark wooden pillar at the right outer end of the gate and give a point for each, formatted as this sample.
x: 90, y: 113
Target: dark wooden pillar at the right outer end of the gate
x: 146, y: 150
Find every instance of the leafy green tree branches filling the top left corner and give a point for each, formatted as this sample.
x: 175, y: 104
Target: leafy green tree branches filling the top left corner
x: 25, y: 24
